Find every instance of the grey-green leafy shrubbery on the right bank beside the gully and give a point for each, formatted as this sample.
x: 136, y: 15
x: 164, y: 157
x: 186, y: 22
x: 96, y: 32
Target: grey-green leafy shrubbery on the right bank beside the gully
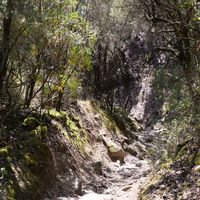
x: 176, y: 110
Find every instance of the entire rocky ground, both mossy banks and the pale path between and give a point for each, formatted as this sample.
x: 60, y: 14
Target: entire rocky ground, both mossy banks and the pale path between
x: 94, y: 156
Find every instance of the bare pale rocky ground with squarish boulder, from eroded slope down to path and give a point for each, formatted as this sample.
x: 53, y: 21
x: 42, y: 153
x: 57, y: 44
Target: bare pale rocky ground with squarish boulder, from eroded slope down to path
x: 110, y: 179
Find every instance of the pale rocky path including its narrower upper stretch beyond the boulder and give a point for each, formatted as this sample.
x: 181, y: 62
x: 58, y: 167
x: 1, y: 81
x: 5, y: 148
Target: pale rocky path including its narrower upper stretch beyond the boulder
x: 122, y: 182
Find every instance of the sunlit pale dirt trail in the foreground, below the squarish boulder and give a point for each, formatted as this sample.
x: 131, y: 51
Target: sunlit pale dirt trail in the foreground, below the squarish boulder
x: 123, y: 181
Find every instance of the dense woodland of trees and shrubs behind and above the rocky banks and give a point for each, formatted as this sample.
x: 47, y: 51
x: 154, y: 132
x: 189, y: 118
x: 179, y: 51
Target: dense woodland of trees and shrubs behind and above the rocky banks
x: 55, y: 52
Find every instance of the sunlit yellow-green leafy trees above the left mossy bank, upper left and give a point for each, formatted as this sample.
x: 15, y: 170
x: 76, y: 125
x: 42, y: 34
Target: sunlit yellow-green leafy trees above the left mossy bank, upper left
x: 52, y: 44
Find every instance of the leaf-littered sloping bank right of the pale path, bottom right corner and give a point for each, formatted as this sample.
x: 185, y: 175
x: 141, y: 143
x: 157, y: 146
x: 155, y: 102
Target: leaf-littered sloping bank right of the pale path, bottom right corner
x: 178, y: 178
